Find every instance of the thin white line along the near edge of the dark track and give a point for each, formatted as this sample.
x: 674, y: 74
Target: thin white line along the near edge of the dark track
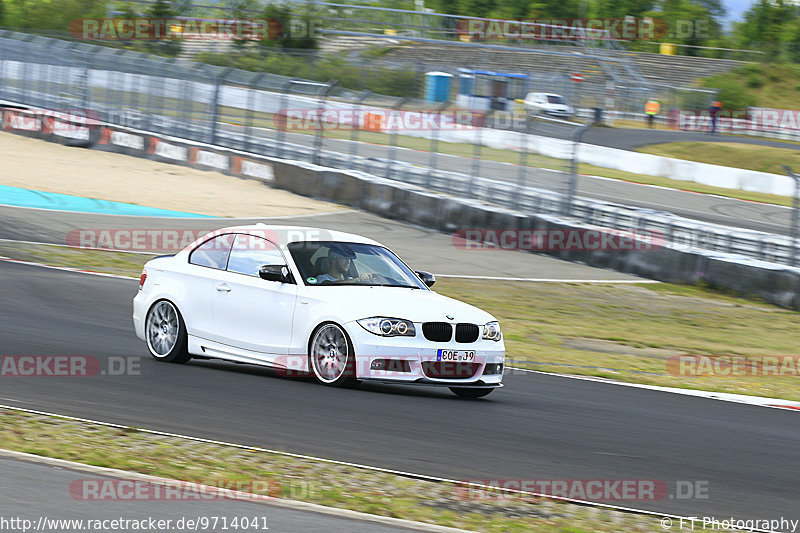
x: 411, y: 475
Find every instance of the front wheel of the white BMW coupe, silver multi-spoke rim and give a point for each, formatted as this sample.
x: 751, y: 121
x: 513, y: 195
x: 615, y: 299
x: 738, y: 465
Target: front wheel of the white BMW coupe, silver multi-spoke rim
x: 331, y: 356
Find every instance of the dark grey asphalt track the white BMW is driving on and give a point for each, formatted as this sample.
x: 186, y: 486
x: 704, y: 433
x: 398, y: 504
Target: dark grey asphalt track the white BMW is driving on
x: 537, y: 427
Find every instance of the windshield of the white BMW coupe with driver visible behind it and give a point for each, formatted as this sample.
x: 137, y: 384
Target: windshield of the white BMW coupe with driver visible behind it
x: 347, y: 263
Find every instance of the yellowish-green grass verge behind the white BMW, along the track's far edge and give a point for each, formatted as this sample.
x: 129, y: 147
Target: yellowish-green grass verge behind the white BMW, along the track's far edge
x: 624, y: 332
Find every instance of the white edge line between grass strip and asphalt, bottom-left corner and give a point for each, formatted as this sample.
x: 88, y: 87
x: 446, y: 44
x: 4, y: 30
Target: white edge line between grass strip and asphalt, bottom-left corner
x: 228, y: 494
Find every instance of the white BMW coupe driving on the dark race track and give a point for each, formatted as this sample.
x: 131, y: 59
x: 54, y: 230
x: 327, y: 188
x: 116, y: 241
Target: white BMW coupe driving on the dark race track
x: 341, y: 307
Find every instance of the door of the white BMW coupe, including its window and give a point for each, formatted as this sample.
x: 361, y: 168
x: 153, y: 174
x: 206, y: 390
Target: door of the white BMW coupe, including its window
x: 249, y: 312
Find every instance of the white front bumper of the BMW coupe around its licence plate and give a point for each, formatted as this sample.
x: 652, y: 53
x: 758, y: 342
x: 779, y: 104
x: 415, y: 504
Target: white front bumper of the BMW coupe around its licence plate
x: 414, y: 360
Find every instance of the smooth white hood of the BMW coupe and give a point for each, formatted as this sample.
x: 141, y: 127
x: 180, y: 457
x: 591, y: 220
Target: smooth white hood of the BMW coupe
x: 353, y: 303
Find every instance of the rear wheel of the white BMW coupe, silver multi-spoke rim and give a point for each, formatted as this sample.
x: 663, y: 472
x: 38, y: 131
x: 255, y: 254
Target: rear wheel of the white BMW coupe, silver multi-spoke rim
x: 166, y: 333
